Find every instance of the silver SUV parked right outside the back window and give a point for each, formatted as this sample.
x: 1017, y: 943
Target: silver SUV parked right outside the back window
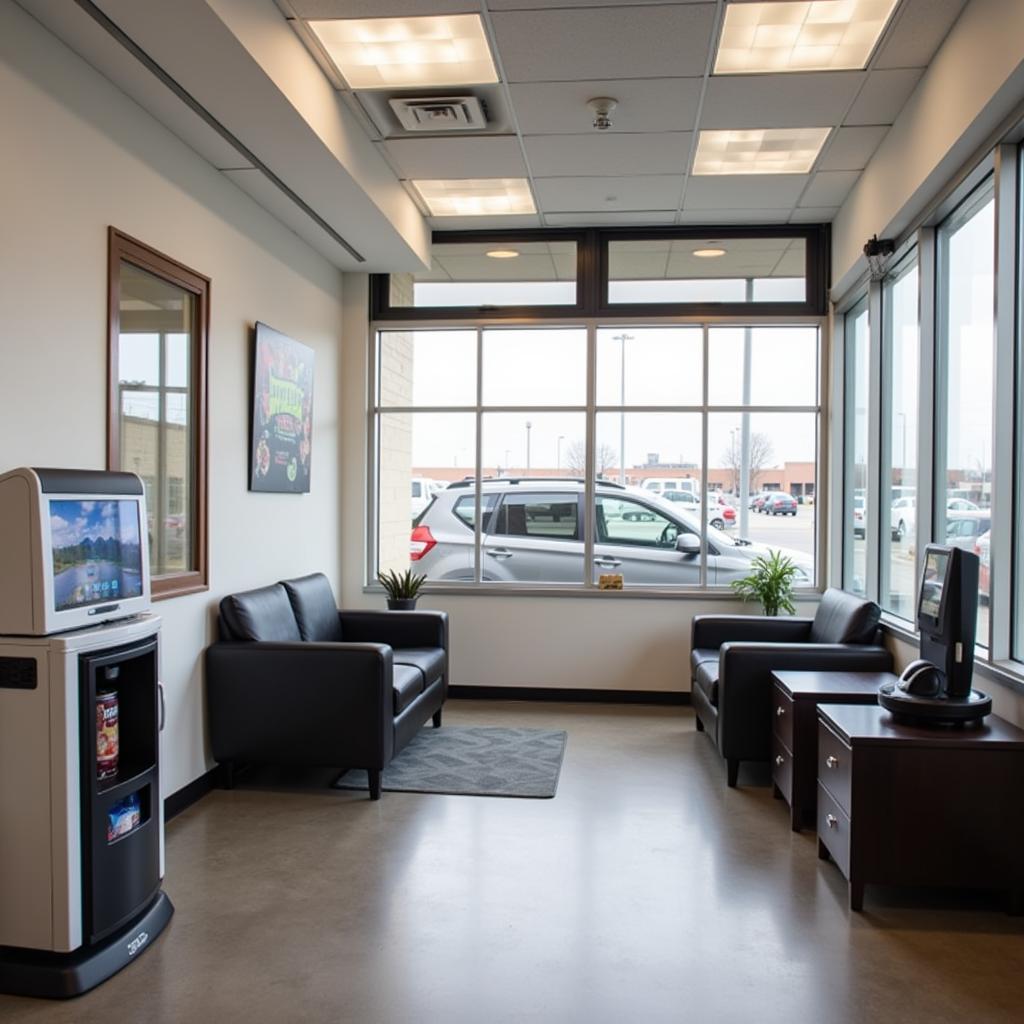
x: 533, y: 532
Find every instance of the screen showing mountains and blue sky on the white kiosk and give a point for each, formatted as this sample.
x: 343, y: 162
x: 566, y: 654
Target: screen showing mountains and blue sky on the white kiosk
x: 97, y: 551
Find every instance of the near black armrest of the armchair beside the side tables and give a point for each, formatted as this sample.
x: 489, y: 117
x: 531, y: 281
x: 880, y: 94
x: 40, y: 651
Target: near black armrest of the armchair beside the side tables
x: 745, y: 686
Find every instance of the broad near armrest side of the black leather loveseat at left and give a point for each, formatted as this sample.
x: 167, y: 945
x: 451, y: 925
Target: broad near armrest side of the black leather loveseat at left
x: 308, y: 703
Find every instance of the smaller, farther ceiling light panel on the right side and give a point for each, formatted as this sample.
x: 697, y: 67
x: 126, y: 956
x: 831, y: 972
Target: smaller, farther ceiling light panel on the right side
x: 759, y: 151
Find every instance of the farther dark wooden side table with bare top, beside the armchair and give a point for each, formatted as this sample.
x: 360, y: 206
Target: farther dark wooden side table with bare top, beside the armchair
x: 796, y: 697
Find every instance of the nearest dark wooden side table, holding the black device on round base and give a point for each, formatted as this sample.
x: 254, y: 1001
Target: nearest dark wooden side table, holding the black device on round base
x: 906, y: 805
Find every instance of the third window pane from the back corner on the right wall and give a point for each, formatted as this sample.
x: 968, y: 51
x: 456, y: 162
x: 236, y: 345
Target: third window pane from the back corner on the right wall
x: 966, y: 352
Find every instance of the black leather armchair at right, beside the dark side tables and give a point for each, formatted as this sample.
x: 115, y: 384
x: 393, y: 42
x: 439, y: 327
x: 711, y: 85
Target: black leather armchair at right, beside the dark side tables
x: 733, y: 659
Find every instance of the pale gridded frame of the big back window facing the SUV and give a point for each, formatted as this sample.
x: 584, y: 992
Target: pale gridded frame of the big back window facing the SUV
x: 588, y: 586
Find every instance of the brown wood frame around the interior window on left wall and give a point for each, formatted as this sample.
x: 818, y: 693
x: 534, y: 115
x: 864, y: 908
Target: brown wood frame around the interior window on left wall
x: 124, y: 247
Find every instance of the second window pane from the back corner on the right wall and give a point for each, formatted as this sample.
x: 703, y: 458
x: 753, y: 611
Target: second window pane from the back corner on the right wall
x: 902, y: 358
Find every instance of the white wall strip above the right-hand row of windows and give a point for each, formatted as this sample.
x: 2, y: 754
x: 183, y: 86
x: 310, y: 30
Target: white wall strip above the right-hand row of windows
x: 975, y: 81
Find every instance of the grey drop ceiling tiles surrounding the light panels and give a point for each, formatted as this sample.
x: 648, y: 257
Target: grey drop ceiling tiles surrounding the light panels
x: 656, y: 57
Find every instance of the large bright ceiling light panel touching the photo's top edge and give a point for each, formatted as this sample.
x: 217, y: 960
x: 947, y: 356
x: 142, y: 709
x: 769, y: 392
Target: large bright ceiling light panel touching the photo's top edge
x: 820, y: 35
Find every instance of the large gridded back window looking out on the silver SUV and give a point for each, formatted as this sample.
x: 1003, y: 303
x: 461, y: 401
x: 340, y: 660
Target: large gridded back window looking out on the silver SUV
x: 491, y: 440
